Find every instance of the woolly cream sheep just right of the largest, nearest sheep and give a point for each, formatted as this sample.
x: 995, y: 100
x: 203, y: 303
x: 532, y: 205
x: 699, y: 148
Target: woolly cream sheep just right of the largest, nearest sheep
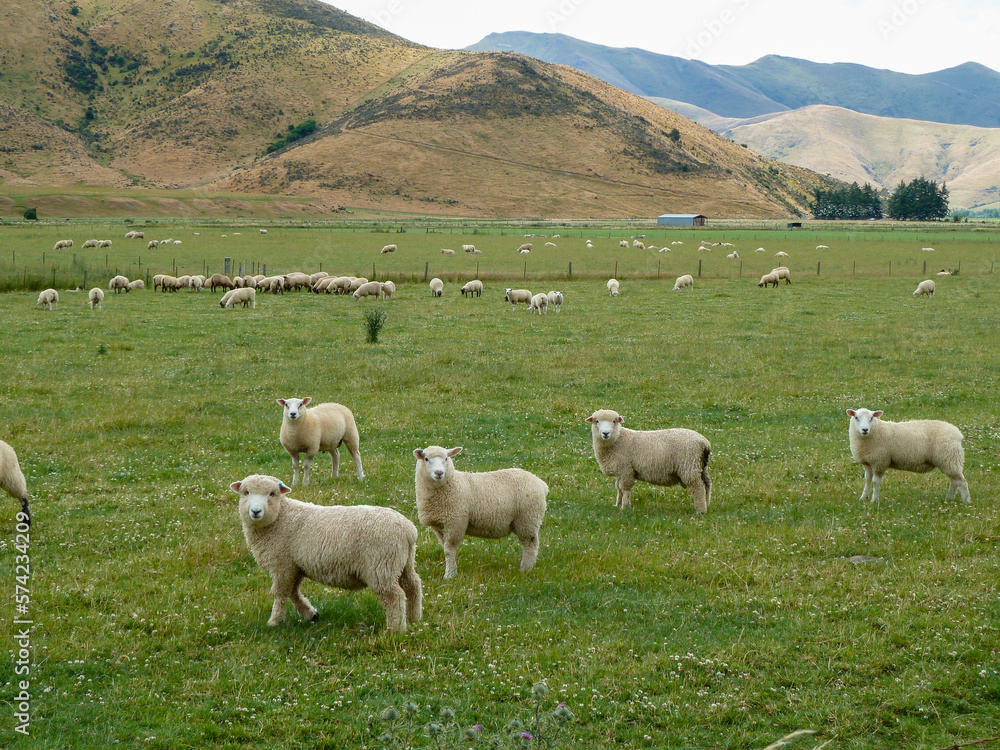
x: 487, y: 505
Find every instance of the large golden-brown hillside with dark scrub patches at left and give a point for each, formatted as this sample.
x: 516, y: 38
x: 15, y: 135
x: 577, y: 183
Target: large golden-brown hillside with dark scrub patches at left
x: 201, y: 95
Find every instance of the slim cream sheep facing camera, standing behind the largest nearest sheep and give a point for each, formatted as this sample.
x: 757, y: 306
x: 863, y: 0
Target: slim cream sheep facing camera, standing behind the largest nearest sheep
x: 321, y: 429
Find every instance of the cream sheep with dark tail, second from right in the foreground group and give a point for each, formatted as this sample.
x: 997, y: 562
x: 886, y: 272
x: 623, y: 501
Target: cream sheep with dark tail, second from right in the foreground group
x: 661, y: 457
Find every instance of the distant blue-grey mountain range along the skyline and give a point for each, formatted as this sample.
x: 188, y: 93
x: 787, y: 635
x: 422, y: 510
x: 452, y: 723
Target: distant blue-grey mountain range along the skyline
x: 968, y: 94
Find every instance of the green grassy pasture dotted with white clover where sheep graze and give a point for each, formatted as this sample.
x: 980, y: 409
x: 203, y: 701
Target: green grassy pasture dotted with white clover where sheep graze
x: 657, y: 628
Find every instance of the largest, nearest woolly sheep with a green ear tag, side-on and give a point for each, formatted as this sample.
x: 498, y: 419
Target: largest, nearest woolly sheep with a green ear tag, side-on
x: 347, y: 547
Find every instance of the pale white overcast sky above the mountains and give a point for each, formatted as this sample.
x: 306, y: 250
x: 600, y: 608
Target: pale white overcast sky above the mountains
x: 911, y: 36
